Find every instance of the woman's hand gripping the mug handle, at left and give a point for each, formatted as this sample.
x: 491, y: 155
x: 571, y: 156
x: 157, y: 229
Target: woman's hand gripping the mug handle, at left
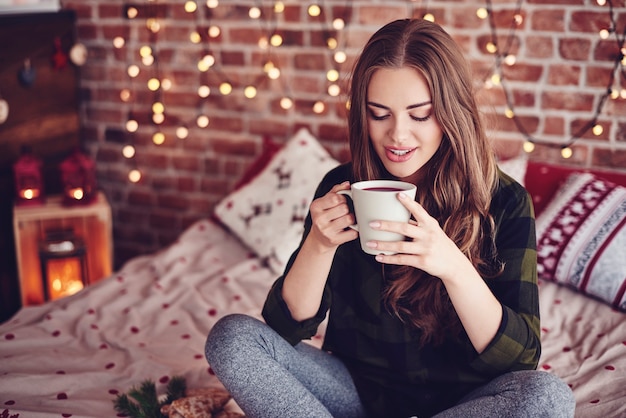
x: 331, y: 217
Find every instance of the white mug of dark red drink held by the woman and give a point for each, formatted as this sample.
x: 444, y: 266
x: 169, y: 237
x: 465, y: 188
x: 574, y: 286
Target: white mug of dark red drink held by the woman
x: 377, y: 200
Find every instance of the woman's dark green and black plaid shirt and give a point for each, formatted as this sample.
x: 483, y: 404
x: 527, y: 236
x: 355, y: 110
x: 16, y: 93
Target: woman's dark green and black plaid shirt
x: 396, y: 377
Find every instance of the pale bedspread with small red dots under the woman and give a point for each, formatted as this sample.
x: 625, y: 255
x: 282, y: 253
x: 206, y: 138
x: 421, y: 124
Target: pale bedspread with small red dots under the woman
x: 149, y: 320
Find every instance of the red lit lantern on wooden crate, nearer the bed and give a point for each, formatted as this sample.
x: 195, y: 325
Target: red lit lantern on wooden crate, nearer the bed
x: 78, y: 175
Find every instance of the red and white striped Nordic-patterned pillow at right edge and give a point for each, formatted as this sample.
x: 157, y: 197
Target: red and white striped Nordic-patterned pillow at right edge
x: 581, y: 237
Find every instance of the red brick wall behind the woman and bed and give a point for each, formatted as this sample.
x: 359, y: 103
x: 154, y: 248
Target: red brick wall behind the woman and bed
x: 561, y: 72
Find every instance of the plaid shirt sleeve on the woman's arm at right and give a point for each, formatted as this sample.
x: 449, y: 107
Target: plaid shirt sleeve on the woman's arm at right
x: 517, y: 344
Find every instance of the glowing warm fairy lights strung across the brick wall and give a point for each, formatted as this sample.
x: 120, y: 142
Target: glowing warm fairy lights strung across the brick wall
x: 205, y: 33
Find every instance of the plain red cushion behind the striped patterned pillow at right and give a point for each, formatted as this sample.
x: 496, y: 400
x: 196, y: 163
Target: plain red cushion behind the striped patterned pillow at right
x: 543, y: 180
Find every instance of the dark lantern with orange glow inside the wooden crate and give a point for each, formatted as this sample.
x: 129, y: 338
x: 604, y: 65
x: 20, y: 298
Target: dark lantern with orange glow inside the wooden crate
x: 63, y: 265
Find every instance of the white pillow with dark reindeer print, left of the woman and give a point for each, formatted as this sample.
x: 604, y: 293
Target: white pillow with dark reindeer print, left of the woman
x: 267, y: 213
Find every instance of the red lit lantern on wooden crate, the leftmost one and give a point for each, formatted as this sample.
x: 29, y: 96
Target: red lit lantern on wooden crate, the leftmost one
x: 28, y: 180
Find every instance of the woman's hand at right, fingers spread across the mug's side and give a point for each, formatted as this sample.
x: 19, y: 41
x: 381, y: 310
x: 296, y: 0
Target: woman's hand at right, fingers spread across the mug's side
x: 428, y: 247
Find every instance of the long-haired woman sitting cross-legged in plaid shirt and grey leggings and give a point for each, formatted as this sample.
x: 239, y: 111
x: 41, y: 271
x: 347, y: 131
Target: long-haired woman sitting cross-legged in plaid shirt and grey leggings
x: 450, y: 324
